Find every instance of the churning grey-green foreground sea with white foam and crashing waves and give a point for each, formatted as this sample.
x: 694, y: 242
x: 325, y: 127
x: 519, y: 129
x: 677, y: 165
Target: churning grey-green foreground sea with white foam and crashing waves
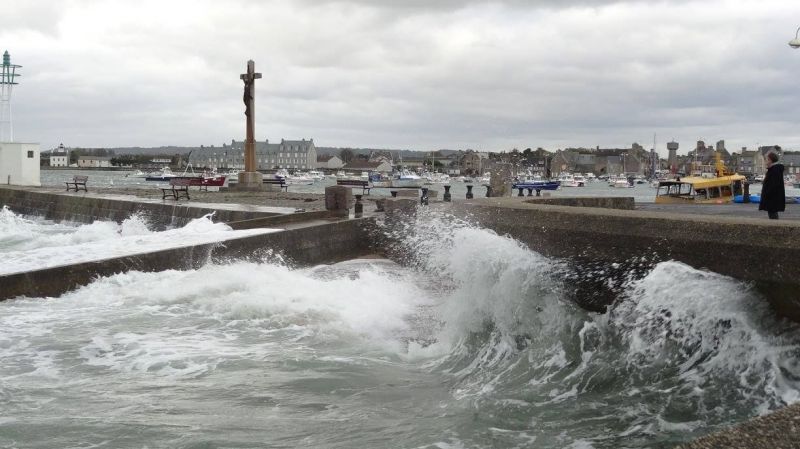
x: 471, y: 343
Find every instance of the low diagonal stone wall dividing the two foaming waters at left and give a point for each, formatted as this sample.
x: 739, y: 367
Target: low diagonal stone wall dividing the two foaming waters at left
x: 304, y: 244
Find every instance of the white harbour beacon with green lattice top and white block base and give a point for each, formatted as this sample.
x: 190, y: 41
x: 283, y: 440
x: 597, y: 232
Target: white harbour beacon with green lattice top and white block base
x: 19, y: 161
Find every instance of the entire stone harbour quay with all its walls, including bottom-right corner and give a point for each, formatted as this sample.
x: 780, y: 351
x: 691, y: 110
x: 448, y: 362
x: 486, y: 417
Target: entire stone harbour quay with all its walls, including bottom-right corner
x: 602, y: 242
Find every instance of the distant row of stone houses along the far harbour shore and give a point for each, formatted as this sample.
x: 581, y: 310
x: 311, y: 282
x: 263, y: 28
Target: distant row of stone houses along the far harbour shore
x: 302, y: 155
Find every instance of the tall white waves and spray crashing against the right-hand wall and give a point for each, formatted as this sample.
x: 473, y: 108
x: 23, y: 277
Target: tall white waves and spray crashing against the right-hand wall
x: 681, y: 350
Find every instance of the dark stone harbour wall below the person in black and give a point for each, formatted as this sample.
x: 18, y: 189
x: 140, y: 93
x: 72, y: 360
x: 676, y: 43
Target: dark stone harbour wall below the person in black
x: 608, y: 246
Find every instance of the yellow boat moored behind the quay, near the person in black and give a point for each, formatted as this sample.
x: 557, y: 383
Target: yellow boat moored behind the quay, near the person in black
x: 717, y: 186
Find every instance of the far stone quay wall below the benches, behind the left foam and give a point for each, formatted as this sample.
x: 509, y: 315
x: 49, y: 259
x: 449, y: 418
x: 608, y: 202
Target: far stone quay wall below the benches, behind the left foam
x: 85, y: 208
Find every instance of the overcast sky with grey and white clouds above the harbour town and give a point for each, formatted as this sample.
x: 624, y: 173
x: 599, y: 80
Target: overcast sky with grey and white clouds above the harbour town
x: 413, y: 74
